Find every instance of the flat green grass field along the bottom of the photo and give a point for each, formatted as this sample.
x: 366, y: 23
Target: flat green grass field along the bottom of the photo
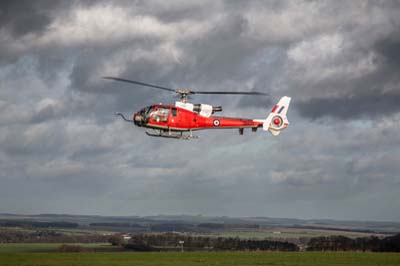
x: 200, y: 258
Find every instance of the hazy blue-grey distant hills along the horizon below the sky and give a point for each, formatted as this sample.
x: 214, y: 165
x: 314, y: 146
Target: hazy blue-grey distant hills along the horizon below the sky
x: 199, y: 223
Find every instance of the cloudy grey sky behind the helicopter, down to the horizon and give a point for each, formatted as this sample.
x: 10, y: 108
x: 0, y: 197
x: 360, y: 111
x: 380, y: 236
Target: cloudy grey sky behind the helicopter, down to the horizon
x: 63, y: 151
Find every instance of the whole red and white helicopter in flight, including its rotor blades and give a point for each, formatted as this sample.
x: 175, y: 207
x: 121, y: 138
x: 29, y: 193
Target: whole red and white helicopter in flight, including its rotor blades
x: 180, y: 120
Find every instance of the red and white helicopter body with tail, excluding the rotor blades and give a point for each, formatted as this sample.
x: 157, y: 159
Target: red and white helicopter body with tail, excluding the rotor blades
x: 172, y: 121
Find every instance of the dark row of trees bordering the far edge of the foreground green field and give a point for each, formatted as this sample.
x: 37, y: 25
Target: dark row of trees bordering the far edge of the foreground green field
x: 151, y: 242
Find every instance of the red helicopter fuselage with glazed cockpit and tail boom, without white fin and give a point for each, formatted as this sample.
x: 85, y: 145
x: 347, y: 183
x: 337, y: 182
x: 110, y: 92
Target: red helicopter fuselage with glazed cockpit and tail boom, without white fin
x: 173, y: 118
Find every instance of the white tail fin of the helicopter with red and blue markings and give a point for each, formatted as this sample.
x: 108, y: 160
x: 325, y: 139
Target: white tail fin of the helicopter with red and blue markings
x: 277, y: 120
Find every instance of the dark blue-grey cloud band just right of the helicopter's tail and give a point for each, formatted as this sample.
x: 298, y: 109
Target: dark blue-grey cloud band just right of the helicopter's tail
x: 369, y: 98
